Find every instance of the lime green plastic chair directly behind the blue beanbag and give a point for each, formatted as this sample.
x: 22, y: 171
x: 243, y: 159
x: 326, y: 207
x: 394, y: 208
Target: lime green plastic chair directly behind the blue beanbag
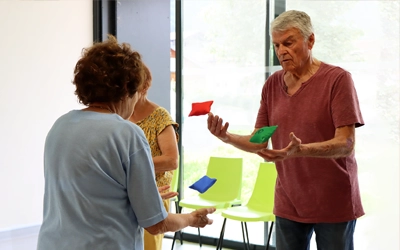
x: 227, y: 189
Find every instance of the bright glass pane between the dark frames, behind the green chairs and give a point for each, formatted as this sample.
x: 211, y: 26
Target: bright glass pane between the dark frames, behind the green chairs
x: 223, y: 61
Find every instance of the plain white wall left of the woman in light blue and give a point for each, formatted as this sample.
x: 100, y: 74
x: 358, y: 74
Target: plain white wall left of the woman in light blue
x: 40, y: 43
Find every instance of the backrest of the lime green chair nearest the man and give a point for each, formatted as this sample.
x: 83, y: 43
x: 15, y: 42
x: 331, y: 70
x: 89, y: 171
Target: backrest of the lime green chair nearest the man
x: 262, y: 197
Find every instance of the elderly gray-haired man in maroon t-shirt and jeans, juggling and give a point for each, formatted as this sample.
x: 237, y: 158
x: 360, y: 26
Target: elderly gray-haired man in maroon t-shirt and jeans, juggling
x: 316, y: 109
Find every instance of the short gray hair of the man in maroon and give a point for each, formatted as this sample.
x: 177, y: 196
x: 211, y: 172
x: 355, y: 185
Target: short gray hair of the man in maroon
x: 293, y: 19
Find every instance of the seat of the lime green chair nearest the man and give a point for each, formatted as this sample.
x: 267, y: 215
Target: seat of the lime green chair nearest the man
x: 244, y: 213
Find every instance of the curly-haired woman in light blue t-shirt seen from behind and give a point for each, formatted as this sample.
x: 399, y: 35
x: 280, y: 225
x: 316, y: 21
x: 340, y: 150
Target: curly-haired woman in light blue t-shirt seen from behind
x: 100, y: 189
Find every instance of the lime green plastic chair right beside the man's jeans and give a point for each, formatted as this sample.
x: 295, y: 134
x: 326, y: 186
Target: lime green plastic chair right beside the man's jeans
x: 258, y: 208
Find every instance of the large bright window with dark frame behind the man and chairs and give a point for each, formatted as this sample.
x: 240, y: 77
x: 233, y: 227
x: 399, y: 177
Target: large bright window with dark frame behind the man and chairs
x: 224, y: 58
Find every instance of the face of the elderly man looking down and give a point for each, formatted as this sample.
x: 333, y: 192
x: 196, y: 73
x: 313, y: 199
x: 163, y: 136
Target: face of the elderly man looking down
x: 292, y: 49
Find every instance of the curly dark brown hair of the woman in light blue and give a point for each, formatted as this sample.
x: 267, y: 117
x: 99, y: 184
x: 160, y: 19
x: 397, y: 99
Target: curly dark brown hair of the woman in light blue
x: 108, y: 72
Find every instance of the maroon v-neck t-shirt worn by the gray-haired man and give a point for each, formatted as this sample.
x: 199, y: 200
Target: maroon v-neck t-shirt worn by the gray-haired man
x: 313, y: 190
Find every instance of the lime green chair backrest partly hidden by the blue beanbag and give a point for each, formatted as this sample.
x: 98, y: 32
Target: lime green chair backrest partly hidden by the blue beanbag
x: 228, y: 172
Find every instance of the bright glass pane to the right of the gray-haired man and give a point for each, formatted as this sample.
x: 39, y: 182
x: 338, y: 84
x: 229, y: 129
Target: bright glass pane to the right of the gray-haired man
x: 363, y: 37
